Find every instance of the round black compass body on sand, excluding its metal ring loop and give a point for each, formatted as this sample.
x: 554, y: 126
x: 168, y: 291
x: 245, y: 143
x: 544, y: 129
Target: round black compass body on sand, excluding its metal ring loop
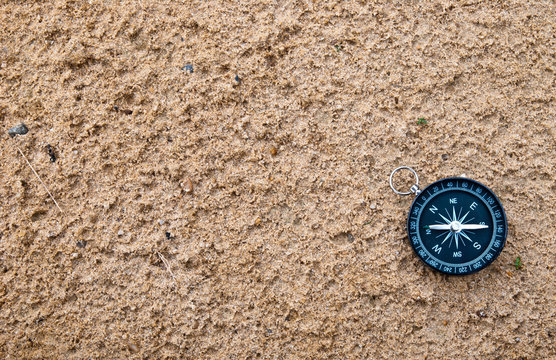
x: 457, y: 226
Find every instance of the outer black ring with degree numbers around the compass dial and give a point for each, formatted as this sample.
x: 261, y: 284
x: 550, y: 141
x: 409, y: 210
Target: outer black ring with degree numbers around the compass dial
x: 487, y: 256
